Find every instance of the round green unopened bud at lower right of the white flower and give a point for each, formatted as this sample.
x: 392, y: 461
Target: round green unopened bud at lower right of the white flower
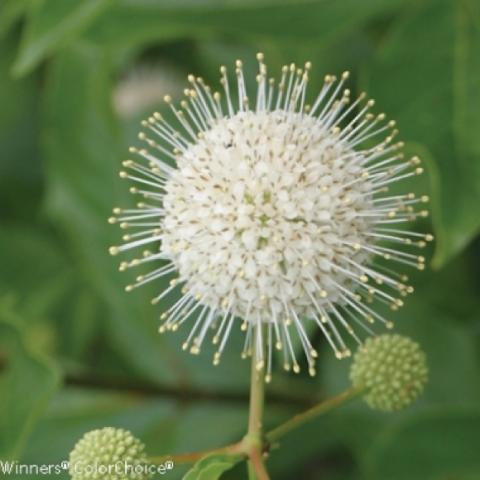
x: 393, y: 370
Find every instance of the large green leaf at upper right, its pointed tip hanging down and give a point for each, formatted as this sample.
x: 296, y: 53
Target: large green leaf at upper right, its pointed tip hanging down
x: 426, y: 75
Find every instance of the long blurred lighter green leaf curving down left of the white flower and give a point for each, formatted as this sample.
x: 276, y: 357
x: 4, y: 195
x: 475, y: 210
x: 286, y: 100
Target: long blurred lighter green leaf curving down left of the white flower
x: 83, y: 150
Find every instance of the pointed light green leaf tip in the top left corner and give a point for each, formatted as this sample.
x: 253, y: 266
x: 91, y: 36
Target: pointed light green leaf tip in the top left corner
x: 50, y: 25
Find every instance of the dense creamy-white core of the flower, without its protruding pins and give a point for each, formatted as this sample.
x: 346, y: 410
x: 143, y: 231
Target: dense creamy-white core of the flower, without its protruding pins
x: 272, y: 220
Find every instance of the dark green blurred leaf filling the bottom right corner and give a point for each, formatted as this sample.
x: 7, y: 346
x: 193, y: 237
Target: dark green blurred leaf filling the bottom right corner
x: 436, y: 444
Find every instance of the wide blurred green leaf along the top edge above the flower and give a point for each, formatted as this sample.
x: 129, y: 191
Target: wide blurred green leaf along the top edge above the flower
x: 134, y: 22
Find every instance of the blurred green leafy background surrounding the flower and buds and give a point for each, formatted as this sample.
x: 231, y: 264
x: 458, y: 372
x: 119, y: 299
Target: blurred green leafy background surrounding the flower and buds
x: 77, y: 353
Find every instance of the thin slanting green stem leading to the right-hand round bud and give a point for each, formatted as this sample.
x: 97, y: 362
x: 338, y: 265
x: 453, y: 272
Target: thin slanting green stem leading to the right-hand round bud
x: 311, y: 413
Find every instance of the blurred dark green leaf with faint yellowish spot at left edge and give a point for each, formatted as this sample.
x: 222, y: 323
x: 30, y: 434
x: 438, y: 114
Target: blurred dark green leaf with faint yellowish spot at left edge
x: 60, y: 311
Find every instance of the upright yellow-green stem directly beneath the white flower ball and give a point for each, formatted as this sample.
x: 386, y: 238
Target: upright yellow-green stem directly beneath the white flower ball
x: 254, y: 440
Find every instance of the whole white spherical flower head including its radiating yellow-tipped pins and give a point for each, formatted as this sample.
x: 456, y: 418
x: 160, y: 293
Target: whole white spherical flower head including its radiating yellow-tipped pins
x: 272, y: 213
